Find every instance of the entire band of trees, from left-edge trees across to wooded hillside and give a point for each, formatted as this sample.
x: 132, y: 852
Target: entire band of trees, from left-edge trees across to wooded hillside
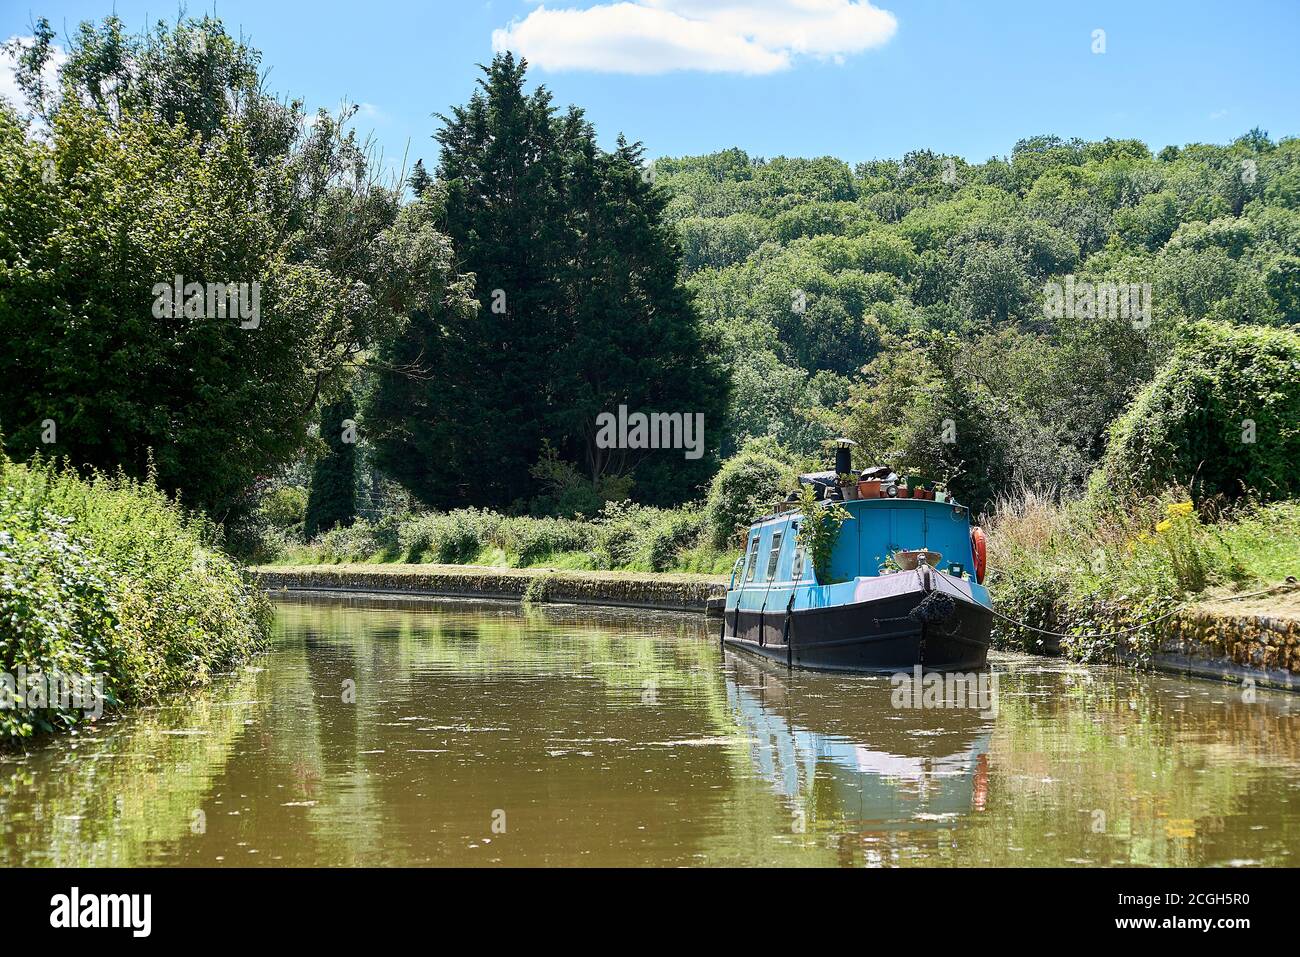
x: 986, y: 324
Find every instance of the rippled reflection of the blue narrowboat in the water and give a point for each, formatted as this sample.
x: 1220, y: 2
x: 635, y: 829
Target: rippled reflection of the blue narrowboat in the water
x: 855, y: 759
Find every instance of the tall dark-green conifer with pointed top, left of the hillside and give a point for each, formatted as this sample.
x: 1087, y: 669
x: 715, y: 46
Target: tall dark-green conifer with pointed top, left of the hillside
x: 580, y: 310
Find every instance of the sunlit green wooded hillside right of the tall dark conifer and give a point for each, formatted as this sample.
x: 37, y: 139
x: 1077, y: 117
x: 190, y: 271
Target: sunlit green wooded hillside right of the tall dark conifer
x: 909, y: 304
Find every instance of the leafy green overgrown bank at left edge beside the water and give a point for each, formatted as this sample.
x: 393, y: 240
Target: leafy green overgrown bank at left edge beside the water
x: 106, y: 577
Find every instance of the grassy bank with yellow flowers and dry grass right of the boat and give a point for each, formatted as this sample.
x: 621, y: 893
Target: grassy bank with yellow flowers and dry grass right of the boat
x: 1091, y: 568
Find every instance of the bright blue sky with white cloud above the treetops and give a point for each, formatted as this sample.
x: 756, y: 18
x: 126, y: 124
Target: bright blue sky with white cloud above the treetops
x: 783, y: 77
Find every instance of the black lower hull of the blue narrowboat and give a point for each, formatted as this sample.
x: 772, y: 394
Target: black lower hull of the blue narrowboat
x: 882, y: 635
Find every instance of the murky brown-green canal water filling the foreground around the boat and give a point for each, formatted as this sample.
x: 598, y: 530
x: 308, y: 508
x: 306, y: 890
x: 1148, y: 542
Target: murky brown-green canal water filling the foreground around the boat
x: 484, y: 734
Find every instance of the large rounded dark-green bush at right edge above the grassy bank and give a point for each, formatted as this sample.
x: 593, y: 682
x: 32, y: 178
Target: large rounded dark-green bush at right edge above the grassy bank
x: 1221, y: 419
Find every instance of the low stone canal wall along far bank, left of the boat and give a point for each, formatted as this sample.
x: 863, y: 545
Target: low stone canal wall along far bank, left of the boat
x: 632, y: 590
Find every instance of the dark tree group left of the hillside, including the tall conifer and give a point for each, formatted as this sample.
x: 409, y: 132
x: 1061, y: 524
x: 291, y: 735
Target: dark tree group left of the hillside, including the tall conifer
x: 526, y: 288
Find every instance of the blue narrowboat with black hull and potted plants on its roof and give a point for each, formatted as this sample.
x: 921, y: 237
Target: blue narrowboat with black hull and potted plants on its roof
x: 904, y: 586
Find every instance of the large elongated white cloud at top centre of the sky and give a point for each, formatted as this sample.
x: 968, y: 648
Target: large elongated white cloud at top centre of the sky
x: 645, y: 37
